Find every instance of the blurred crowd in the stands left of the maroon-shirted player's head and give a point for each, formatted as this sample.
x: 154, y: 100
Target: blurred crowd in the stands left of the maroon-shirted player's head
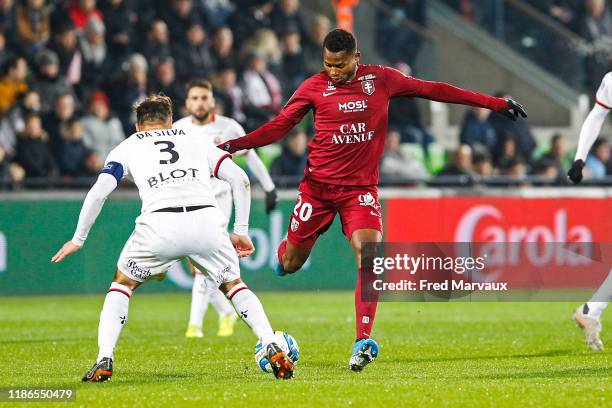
x: 71, y: 70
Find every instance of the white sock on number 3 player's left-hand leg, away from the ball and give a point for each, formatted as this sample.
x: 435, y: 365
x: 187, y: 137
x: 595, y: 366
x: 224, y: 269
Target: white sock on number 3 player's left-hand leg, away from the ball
x: 112, y: 318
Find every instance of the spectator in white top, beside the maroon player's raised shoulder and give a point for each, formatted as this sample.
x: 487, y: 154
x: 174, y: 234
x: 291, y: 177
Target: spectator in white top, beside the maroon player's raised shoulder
x: 262, y: 92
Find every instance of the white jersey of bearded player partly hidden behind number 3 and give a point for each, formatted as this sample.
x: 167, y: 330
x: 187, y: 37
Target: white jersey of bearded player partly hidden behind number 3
x: 219, y: 130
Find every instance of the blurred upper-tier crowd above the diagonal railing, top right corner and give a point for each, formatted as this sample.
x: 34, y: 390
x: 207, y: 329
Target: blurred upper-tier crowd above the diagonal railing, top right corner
x: 584, y: 63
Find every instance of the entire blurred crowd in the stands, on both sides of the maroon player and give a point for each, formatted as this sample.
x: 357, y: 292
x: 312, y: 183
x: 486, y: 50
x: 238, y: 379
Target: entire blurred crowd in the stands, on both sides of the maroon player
x: 71, y: 70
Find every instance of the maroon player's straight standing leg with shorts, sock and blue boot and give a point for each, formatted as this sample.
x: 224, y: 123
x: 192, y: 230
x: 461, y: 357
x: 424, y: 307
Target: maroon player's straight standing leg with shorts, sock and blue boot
x: 362, y: 223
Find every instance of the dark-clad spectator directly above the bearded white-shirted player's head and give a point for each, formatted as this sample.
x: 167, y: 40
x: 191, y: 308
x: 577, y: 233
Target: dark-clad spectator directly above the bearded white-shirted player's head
x: 193, y: 58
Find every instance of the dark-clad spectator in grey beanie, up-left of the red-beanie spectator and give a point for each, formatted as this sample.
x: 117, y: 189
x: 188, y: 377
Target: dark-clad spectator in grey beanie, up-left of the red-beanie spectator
x: 49, y: 84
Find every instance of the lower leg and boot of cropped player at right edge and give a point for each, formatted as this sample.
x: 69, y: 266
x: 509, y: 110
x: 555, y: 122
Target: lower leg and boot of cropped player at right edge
x: 588, y: 315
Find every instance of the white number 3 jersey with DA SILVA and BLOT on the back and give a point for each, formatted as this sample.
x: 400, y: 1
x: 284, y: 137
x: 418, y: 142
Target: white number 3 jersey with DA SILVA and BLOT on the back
x: 170, y: 167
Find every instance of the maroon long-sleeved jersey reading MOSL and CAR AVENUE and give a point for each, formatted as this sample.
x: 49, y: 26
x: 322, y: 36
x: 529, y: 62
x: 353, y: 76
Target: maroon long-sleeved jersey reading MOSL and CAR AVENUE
x: 351, y: 120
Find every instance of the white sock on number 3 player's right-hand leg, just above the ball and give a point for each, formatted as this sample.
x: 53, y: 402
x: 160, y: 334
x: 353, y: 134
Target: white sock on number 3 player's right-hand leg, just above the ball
x: 250, y: 309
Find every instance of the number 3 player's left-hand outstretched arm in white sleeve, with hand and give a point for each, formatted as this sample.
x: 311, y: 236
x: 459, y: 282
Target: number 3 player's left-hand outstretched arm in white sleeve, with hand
x: 92, y: 206
